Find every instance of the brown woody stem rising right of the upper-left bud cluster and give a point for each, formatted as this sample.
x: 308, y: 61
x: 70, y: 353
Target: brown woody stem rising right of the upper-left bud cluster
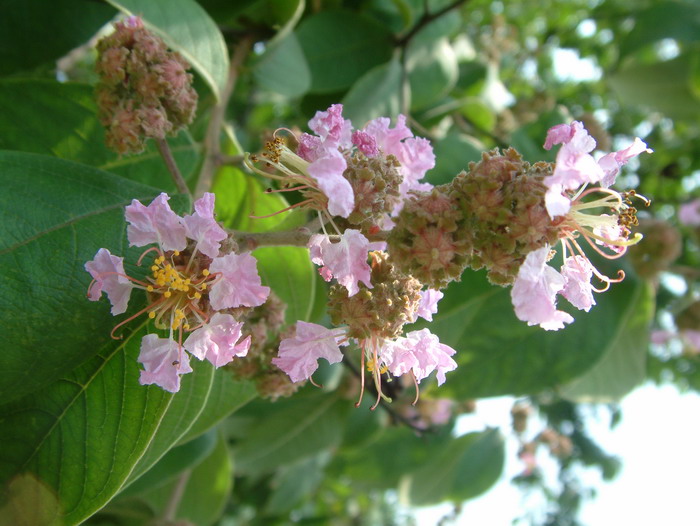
x: 212, y: 141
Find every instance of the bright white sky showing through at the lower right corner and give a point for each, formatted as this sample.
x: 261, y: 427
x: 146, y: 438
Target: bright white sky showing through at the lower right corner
x: 658, y: 440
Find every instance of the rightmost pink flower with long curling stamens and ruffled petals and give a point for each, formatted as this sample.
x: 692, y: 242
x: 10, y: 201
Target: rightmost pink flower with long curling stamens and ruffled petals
x: 571, y: 202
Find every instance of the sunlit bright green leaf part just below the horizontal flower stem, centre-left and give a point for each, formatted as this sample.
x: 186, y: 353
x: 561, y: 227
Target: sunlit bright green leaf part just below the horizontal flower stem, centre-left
x: 288, y: 271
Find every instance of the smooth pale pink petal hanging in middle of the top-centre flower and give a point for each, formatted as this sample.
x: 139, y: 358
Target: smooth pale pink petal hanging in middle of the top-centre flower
x: 328, y: 170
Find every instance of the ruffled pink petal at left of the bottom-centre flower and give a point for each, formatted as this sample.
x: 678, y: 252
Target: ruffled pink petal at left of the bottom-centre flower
x: 298, y: 356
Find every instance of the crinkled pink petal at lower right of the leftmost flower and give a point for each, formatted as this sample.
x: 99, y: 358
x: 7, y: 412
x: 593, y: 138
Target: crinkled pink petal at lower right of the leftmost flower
x: 218, y: 340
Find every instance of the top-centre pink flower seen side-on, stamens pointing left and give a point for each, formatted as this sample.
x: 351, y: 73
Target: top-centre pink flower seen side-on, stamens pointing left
x: 320, y: 168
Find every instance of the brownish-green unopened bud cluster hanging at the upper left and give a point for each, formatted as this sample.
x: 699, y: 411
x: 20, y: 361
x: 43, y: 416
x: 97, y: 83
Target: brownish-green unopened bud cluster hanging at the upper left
x: 144, y: 89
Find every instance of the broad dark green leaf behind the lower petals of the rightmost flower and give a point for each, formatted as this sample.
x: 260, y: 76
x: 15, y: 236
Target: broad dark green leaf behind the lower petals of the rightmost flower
x: 498, y: 354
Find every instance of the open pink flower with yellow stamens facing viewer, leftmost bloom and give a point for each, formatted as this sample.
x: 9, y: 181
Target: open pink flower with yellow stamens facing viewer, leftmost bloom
x: 189, y: 289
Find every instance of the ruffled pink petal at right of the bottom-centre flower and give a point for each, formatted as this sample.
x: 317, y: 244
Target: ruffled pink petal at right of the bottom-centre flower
x: 420, y: 352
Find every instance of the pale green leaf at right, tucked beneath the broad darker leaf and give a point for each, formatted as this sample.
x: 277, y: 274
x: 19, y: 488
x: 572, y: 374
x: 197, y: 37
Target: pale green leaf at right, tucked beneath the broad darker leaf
x: 623, y: 366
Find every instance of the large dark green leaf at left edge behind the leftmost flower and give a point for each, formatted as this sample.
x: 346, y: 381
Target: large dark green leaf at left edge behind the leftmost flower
x: 54, y: 216
